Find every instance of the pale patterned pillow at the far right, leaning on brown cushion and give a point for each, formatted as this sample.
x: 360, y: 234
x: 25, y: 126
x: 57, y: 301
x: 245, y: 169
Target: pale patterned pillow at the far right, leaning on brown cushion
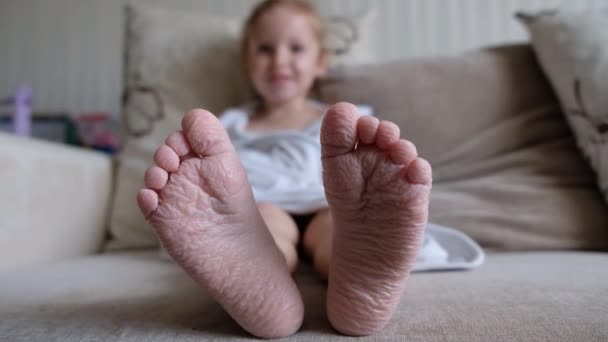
x: 572, y: 48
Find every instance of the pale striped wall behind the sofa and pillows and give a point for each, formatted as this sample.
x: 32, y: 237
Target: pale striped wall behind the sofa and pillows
x: 70, y: 51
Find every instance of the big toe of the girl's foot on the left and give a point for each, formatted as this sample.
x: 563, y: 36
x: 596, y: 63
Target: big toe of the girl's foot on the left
x: 205, y: 134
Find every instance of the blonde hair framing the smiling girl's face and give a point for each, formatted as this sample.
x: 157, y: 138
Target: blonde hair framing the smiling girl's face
x: 304, y: 7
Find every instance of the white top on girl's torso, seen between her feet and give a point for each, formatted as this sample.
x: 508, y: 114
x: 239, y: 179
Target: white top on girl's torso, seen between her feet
x: 283, y: 167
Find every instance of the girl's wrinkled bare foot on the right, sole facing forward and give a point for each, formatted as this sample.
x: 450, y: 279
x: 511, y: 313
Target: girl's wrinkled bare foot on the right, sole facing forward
x: 378, y: 191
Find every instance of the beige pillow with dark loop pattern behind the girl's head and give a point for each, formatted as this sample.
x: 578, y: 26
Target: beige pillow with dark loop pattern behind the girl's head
x: 176, y: 61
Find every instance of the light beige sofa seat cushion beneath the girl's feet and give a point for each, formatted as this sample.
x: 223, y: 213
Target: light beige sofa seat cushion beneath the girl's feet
x: 137, y: 296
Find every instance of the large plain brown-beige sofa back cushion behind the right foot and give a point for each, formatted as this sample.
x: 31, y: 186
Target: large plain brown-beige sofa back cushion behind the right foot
x: 505, y: 165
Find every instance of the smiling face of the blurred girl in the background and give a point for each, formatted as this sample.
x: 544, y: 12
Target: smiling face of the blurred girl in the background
x: 284, y: 56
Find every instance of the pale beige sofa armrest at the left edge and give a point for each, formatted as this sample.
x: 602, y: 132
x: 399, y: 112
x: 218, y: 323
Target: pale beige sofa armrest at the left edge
x: 54, y: 201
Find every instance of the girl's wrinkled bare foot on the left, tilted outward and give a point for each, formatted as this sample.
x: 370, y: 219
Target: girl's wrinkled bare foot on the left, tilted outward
x: 200, y: 203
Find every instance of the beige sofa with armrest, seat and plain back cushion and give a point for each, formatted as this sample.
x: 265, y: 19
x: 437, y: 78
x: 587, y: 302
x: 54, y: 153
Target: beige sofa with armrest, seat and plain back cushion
x: 507, y: 173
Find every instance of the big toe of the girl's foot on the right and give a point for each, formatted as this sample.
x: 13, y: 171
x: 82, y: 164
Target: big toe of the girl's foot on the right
x: 339, y: 130
